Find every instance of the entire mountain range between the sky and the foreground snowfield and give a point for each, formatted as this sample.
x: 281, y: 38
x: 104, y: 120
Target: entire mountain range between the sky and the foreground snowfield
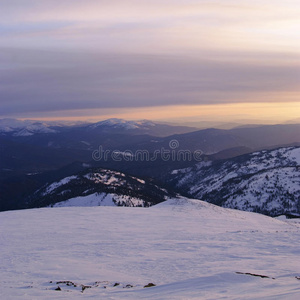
x: 36, y: 154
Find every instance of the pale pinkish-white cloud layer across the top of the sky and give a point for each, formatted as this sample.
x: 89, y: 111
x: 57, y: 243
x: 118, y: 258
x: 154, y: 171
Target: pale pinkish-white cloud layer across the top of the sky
x: 162, y: 26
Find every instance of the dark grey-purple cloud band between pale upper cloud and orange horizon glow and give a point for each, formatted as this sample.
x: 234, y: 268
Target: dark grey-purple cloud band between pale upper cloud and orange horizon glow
x: 49, y: 81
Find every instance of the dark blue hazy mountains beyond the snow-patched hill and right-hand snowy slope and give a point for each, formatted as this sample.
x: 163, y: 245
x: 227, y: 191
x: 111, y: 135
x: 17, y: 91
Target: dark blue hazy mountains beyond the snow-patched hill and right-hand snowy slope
x: 26, y: 160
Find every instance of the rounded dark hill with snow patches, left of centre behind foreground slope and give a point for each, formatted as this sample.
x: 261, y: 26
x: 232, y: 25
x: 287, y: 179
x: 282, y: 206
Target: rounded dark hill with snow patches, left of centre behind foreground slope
x: 98, y: 187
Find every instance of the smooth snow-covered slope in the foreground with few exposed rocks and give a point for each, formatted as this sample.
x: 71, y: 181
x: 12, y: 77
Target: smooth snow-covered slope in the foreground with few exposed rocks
x: 188, y: 248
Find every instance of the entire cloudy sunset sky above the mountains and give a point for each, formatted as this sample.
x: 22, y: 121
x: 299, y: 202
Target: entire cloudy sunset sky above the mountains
x: 180, y: 59
